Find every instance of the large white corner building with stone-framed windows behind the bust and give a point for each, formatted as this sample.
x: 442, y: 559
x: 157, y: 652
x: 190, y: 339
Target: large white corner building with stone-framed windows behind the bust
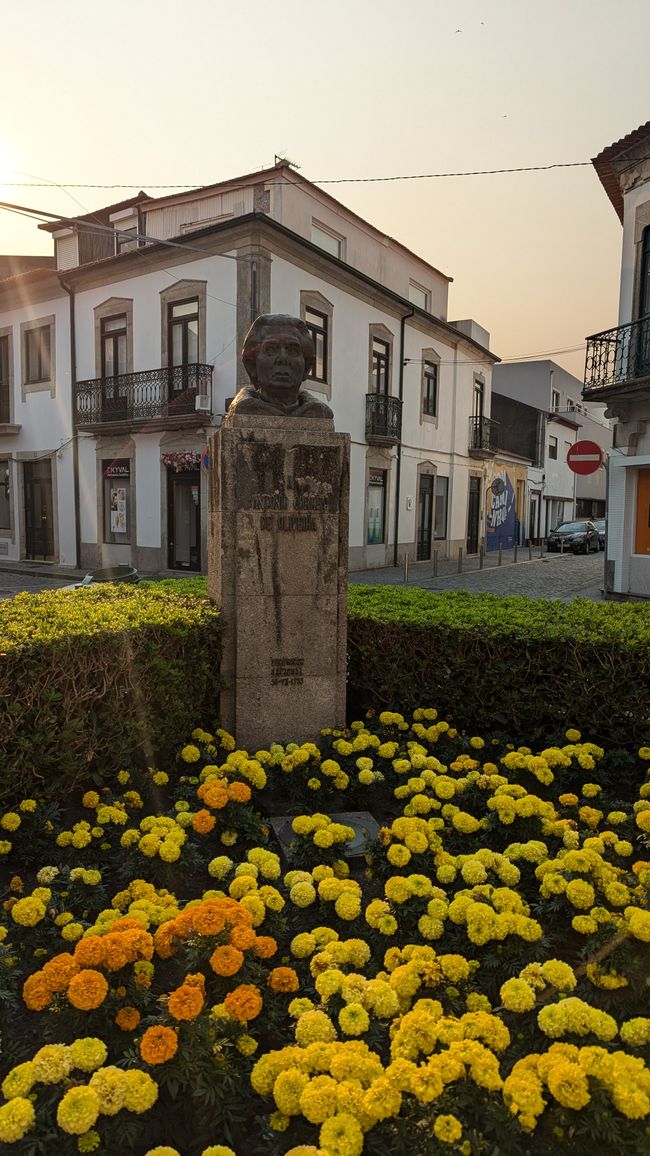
x: 136, y: 357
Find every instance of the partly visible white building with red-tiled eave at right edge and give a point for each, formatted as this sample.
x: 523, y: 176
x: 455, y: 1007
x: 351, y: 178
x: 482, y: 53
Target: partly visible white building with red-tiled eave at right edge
x: 618, y: 370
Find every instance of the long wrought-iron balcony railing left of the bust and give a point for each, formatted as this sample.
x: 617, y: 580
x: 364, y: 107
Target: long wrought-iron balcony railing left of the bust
x: 168, y: 392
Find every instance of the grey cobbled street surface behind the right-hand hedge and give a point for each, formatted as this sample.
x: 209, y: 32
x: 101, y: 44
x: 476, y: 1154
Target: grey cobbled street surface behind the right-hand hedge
x: 562, y: 576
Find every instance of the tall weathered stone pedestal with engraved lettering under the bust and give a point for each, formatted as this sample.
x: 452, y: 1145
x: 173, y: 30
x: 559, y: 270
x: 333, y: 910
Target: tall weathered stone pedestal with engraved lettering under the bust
x: 278, y: 544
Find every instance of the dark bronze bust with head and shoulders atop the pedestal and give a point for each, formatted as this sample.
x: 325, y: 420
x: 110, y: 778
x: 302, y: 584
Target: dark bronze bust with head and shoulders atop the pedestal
x: 278, y: 357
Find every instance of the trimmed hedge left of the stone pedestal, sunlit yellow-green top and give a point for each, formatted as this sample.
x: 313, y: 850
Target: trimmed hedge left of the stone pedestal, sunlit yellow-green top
x: 98, y: 677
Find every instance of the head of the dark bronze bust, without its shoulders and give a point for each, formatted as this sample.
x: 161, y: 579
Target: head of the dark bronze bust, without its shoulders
x: 278, y: 355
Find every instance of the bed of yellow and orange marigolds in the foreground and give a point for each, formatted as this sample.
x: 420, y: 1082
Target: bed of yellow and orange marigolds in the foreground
x: 475, y: 983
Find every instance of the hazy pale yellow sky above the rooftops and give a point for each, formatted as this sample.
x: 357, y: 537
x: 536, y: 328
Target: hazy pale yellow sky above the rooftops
x: 157, y: 92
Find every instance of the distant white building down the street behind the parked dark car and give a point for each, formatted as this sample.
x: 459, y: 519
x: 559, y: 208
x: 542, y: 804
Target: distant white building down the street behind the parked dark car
x: 541, y: 417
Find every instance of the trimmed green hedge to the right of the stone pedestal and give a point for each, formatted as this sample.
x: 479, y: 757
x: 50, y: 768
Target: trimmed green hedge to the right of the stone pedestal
x: 526, y: 666
